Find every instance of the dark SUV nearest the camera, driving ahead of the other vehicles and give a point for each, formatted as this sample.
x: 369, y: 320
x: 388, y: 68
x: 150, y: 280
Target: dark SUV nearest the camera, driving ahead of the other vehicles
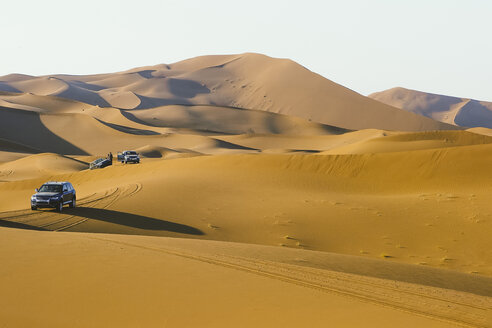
x: 54, y: 194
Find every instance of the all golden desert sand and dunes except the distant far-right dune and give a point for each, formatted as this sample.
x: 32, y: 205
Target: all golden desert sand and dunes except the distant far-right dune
x: 267, y: 196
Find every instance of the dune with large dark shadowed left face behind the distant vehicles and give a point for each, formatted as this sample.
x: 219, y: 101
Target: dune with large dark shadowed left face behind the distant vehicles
x: 48, y: 132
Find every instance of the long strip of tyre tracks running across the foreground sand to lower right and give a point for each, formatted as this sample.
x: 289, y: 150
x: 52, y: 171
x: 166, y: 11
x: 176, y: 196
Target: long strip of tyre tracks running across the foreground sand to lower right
x: 460, y: 308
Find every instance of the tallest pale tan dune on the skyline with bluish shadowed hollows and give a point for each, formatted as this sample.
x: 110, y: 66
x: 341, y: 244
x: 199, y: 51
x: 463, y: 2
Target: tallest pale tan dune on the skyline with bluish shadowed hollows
x: 248, y: 81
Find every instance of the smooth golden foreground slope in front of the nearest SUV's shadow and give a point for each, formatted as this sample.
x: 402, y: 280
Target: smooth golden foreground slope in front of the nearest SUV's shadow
x: 171, y: 282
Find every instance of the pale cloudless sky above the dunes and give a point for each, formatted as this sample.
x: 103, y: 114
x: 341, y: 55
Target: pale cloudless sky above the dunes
x: 436, y: 46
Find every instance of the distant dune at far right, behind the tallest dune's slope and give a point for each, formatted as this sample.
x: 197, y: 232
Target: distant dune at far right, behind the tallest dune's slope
x: 458, y: 111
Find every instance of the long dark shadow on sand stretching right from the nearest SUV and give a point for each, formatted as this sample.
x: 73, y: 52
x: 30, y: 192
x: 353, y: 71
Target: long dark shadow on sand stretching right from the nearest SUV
x: 132, y: 220
